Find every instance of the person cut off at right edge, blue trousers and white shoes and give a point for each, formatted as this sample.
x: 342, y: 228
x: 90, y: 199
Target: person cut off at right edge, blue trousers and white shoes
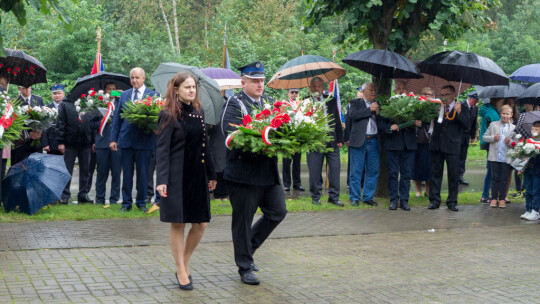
x: 531, y: 182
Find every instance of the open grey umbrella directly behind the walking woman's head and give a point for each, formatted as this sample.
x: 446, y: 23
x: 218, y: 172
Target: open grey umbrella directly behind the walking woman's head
x: 207, y: 88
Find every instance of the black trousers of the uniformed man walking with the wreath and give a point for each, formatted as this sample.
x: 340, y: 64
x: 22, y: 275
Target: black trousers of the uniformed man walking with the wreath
x: 247, y: 238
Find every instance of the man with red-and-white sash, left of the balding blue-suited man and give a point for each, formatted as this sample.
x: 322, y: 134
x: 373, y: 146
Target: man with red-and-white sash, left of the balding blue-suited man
x: 107, y: 160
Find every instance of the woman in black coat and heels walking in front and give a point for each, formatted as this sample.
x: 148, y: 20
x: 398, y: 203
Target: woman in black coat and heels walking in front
x: 184, y: 171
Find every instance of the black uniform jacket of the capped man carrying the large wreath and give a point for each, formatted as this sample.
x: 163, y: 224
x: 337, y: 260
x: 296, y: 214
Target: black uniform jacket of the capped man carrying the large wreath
x: 243, y: 167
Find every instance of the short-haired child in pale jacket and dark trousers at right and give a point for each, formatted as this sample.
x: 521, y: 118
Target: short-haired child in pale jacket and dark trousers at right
x: 499, y: 134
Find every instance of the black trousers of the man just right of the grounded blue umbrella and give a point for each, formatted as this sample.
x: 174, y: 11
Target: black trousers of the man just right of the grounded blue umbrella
x: 83, y: 154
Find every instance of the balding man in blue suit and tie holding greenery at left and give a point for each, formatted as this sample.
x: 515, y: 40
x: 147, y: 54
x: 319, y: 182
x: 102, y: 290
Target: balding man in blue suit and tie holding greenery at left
x: 135, y: 144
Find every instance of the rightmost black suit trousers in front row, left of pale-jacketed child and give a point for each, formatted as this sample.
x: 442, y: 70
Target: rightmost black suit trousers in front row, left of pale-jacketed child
x: 437, y: 168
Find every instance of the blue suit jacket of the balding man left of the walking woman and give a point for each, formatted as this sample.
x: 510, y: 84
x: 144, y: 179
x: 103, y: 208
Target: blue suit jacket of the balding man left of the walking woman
x: 126, y: 134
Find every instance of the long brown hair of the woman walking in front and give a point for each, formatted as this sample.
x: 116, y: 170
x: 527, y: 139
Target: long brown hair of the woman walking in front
x: 173, y: 104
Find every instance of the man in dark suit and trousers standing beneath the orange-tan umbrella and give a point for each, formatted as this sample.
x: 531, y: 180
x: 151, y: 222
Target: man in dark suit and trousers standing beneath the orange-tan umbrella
x: 315, y: 159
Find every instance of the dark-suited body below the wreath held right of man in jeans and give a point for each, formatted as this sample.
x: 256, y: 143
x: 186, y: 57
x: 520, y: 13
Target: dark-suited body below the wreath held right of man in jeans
x: 400, y: 146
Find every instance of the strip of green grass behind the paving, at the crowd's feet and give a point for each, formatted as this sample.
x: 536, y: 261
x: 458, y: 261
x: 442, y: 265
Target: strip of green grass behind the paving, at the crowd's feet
x: 301, y: 204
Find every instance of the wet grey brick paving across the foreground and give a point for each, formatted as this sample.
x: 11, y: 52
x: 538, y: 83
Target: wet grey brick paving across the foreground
x: 477, y: 255
